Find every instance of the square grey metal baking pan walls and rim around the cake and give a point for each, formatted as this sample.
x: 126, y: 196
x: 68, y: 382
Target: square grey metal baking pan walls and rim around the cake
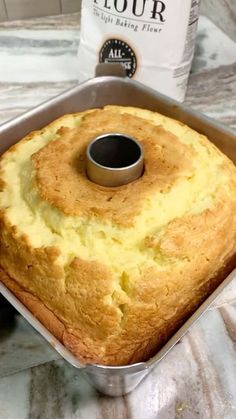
x: 98, y: 92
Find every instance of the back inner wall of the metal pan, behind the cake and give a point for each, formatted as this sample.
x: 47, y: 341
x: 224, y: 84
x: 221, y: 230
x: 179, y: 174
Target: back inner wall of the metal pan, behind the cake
x: 112, y: 90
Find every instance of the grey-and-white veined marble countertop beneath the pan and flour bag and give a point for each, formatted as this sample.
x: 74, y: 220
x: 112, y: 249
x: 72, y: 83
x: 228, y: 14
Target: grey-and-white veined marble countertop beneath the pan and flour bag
x: 197, y: 379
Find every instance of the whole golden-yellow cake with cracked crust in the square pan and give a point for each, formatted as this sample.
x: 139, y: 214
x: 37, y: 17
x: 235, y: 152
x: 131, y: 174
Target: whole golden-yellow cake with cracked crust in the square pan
x: 114, y: 272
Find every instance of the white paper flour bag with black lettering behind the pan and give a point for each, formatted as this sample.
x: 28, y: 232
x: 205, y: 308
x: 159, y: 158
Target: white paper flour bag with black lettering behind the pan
x: 153, y: 40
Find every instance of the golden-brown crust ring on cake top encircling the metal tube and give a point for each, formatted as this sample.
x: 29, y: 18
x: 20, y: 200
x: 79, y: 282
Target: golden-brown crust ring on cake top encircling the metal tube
x: 61, y: 173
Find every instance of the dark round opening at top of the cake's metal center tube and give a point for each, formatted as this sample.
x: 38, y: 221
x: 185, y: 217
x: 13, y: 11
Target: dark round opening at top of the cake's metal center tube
x: 115, y: 151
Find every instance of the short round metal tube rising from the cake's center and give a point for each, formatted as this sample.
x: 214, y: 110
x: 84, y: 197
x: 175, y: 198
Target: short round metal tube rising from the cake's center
x: 114, y: 159
